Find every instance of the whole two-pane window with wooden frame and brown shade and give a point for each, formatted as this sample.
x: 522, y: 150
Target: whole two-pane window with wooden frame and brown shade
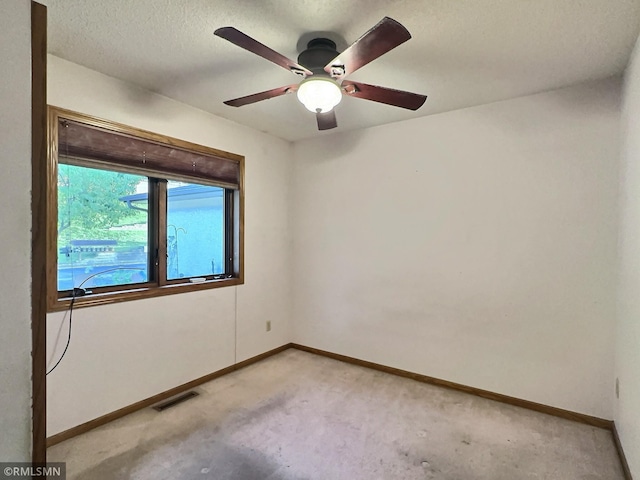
x: 135, y: 215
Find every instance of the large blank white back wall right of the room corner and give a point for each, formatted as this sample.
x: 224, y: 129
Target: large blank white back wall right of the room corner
x: 476, y: 246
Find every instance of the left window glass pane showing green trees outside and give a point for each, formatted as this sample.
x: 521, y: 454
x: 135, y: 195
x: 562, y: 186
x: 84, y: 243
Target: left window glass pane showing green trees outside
x: 102, y: 228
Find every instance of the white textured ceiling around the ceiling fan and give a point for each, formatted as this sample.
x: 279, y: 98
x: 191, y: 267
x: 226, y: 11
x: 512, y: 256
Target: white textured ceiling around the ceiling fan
x: 463, y: 53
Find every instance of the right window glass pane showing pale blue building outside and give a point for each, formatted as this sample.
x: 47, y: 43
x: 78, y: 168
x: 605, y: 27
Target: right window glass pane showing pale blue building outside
x: 195, y: 230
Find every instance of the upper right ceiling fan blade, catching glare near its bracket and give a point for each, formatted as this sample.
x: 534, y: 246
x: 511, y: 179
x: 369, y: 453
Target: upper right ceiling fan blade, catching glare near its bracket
x: 384, y: 36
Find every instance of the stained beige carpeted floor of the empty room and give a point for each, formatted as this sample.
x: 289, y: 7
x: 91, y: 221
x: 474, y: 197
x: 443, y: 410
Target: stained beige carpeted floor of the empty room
x: 301, y: 416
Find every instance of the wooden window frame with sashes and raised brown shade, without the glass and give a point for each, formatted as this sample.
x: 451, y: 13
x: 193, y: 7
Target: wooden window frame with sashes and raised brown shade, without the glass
x: 89, y: 142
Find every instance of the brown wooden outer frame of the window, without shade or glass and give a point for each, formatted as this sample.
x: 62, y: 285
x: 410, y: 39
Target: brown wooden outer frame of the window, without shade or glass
x: 234, y: 206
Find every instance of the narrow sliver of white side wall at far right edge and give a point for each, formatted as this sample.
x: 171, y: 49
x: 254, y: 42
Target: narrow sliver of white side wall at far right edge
x: 627, y: 415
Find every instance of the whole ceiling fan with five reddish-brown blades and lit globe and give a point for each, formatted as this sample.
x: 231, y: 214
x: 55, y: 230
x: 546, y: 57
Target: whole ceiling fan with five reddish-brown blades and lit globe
x: 324, y: 71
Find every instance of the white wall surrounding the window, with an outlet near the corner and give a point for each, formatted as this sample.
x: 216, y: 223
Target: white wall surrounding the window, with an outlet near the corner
x: 126, y: 352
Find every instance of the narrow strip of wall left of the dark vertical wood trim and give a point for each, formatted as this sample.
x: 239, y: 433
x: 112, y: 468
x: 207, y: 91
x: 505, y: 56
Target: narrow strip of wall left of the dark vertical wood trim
x: 15, y: 231
